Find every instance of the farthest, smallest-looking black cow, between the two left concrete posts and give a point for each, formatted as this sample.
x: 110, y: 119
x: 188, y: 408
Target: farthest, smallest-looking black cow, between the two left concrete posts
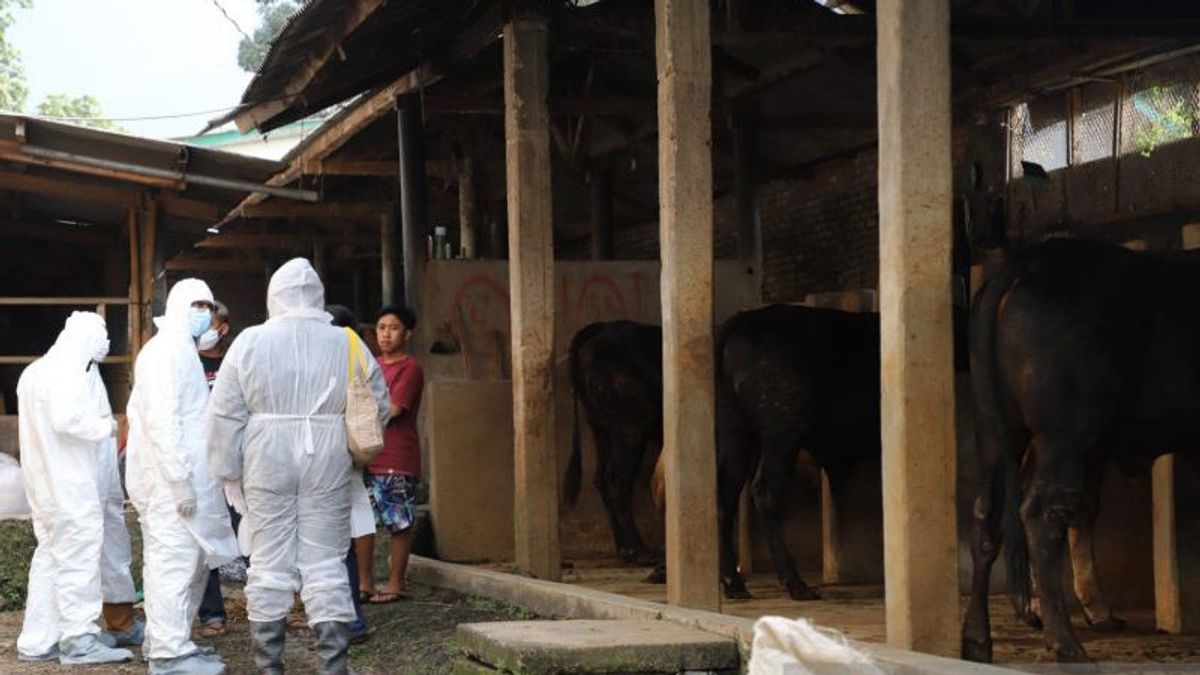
x: 617, y: 375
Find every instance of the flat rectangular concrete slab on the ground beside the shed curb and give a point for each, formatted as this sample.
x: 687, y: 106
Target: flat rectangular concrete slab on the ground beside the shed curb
x: 596, y: 647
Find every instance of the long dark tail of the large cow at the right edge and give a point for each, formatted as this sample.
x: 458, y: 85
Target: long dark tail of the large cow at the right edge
x: 986, y: 371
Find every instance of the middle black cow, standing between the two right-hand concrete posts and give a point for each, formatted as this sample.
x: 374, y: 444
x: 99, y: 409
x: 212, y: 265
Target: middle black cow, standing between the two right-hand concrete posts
x: 790, y: 379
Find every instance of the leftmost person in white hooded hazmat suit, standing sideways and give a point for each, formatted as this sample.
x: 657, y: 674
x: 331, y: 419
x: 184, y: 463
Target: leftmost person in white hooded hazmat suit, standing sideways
x: 67, y: 431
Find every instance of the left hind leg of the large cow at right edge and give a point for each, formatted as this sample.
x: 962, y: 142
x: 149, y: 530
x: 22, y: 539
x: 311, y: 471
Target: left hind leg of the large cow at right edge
x: 987, y: 517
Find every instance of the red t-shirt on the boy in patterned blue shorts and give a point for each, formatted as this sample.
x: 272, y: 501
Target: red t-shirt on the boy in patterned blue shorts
x: 401, y: 444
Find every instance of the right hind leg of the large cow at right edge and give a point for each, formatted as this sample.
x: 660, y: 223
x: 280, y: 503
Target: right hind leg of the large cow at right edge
x: 1051, y: 506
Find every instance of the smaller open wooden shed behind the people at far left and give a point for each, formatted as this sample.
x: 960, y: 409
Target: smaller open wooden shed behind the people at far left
x: 91, y: 220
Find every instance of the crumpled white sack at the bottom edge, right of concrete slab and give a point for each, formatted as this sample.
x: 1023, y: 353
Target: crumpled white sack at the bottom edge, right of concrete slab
x: 785, y: 647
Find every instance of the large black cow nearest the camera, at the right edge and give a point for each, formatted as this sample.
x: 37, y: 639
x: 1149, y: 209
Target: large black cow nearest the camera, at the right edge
x: 1083, y: 354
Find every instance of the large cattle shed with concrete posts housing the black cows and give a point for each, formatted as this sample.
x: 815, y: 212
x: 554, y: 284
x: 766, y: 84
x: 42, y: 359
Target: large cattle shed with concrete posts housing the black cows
x: 679, y: 162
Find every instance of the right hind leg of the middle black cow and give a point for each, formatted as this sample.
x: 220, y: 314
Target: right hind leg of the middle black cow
x: 771, y: 486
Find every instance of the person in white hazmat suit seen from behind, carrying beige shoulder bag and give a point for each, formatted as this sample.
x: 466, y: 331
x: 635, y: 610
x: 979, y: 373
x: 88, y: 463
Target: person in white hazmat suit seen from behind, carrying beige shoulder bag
x: 278, y: 439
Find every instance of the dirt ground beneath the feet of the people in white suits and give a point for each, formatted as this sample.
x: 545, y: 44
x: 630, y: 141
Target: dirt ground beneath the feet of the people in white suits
x: 412, y: 637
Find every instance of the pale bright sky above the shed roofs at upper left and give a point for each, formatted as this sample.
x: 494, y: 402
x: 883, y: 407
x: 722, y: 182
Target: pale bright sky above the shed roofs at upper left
x: 140, y: 58
